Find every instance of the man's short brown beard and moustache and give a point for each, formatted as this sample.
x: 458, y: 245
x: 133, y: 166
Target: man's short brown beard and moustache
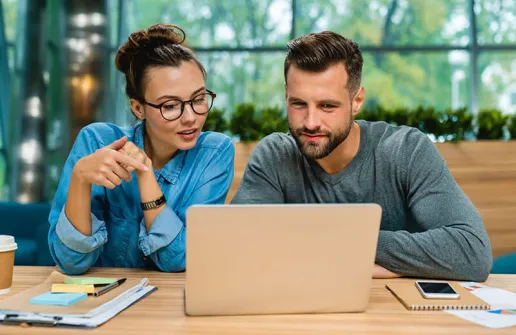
x: 324, y: 147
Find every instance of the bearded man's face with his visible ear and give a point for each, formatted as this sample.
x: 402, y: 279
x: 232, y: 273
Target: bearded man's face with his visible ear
x: 320, y: 109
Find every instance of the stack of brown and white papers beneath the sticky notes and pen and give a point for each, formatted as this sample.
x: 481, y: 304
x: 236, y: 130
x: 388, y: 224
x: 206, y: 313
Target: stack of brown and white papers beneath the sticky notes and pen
x: 90, y: 312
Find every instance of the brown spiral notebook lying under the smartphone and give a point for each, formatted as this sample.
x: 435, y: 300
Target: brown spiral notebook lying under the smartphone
x: 408, y: 294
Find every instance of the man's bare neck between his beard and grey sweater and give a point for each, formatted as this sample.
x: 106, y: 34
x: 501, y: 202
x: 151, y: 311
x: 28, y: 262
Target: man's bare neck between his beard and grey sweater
x: 342, y: 155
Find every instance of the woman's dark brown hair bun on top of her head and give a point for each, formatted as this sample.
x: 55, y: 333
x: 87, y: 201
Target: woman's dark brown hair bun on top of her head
x: 155, y: 35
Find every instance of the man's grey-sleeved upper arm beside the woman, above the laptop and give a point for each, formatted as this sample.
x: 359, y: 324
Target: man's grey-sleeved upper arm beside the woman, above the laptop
x: 260, y: 183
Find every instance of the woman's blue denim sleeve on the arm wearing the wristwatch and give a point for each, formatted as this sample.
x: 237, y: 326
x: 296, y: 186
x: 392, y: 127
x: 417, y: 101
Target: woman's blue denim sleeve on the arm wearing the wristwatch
x: 164, y: 243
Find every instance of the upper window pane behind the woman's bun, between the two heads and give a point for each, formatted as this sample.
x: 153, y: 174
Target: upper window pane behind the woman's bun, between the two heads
x: 215, y: 23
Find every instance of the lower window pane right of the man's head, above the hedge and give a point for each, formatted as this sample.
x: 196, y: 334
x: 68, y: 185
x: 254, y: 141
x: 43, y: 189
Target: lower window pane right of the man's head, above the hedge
x: 411, y: 79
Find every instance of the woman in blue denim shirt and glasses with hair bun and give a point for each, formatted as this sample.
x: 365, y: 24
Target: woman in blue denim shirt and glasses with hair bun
x: 123, y: 193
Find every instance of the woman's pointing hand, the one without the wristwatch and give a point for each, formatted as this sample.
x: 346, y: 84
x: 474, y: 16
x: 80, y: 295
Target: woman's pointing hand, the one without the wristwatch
x: 105, y: 167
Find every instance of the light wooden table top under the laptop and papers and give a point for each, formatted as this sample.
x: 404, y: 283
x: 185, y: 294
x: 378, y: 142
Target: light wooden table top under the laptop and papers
x: 163, y: 313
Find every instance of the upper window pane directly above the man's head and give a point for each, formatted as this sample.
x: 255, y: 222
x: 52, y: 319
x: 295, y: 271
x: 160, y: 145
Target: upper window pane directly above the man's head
x: 388, y: 22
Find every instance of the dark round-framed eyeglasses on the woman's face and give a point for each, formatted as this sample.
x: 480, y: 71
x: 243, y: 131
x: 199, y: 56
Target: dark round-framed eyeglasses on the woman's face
x: 173, y: 109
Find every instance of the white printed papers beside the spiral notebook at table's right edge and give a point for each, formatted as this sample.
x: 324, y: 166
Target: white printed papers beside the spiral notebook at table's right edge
x: 498, y: 299
